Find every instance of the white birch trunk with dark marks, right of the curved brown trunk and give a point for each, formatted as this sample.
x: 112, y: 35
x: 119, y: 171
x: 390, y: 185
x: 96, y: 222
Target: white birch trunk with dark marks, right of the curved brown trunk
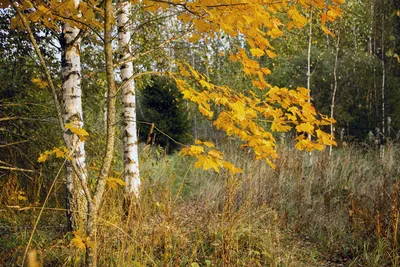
x: 130, y: 140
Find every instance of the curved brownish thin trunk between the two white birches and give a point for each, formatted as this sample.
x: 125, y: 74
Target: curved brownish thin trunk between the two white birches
x: 94, y: 204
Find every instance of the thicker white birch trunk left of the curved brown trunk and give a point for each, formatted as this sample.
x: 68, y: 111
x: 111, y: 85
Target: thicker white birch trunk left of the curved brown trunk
x: 72, y: 105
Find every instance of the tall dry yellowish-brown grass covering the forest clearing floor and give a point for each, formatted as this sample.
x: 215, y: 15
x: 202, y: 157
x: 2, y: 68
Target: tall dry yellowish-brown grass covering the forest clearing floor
x: 342, y: 209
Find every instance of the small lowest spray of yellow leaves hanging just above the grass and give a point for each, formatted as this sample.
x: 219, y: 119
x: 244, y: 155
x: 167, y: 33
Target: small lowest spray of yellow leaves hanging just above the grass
x: 208, y: 158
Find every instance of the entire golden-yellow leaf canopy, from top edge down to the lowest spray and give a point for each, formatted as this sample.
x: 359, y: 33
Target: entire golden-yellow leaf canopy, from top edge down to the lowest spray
x: 250, y: 116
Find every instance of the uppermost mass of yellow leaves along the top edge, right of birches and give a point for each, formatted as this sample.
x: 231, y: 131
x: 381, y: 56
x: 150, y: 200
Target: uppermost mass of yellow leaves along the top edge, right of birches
x: 255, y: 20
